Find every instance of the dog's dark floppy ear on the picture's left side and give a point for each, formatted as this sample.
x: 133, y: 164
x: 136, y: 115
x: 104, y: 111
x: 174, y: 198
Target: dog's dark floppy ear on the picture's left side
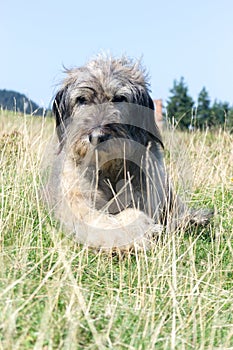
x: 60, y: 111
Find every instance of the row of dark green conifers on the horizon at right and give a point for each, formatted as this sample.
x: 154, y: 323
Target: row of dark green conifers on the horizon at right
x: 182, y: 111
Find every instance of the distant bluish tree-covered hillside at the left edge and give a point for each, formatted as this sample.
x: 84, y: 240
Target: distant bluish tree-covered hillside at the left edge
x: 14, y: 101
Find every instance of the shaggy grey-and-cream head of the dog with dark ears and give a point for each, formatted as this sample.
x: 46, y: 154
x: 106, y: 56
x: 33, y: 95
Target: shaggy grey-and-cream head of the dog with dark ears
x: 108, y: 98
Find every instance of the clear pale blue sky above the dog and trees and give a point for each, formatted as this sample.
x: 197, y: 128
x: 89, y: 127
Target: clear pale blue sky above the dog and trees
x: 175, y: 38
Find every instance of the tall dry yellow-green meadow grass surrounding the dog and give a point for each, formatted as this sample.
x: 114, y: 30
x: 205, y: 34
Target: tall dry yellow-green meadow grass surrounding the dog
x: 55, y: 294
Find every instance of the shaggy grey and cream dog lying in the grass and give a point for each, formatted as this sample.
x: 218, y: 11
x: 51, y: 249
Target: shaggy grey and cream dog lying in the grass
x: 108, y: 184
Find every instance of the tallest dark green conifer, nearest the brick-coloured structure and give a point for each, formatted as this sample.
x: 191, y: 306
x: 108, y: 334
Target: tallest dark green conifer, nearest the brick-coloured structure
x: 180, y: 104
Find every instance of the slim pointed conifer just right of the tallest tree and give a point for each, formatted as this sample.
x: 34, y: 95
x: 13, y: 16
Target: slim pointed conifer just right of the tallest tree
x: 203, y: 118
